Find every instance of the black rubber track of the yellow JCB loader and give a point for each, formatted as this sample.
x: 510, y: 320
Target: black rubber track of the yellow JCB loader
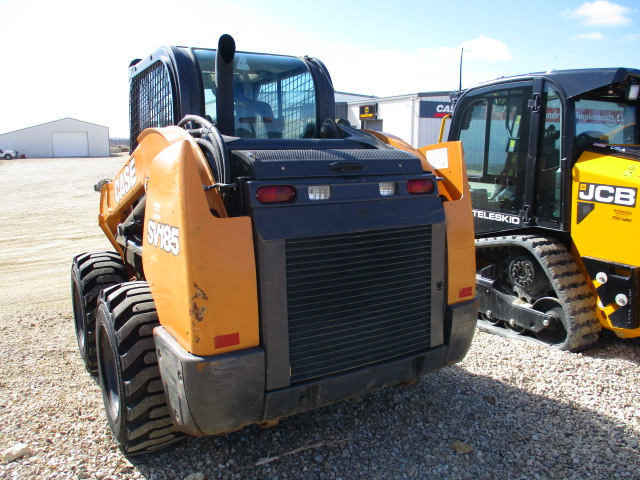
x: 568, y: 282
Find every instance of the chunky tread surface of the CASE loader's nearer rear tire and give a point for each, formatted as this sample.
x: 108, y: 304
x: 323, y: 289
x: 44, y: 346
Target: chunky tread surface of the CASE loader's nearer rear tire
x: 148, y: 425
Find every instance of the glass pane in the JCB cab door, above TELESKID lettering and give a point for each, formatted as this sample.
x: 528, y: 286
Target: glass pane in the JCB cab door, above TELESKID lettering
x: 494, y: 134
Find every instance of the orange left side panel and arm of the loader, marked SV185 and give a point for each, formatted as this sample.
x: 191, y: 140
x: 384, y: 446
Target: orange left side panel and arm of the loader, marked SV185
x: 188, y: 250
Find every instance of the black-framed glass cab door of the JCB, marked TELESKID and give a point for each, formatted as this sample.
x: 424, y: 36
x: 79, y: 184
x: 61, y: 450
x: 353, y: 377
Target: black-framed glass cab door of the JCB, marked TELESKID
x: 495, y: 124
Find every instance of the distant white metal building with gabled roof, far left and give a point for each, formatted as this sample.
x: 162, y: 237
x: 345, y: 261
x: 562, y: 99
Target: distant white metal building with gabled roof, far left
x: 66, y: 137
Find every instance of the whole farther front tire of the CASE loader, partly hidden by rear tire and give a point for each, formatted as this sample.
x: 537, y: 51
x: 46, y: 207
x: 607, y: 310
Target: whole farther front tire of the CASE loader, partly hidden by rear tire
x: 90, y: 274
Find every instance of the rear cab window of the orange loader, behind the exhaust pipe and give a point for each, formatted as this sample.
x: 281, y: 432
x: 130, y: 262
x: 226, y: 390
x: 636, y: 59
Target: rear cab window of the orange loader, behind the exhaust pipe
x: 274, y: 96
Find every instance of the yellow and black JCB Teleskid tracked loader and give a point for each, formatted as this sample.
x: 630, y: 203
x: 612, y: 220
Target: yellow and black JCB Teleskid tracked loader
x: 553, y: 163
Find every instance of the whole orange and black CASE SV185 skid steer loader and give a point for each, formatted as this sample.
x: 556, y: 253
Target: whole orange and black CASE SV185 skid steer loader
x: 267, y: 259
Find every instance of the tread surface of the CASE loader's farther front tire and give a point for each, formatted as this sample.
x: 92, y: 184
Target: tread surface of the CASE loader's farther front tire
x: 95, y: 272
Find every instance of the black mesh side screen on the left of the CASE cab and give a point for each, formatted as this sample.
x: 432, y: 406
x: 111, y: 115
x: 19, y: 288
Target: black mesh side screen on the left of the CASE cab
x: 151, y: 101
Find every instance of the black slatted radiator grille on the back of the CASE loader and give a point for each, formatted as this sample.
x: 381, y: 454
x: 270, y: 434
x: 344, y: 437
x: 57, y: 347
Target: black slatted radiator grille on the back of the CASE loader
x: 357, y: 299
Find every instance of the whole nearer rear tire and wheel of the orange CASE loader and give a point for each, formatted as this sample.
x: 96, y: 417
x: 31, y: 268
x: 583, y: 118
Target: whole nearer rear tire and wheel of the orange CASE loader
x: 129, y: 376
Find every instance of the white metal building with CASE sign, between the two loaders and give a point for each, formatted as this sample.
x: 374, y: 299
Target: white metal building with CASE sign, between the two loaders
x: 415, y: 118
